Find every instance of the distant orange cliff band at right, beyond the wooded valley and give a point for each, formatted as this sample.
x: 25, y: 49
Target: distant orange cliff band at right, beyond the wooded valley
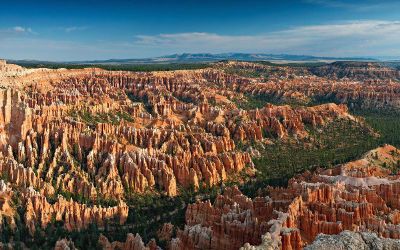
x: 363, y: 94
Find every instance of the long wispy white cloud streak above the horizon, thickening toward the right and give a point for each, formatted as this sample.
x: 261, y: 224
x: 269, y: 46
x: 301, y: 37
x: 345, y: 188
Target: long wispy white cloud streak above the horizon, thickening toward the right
x: 358, y: 37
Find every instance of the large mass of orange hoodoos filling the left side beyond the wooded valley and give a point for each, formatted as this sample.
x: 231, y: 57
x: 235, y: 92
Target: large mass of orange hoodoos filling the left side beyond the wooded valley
x: 76, y: 143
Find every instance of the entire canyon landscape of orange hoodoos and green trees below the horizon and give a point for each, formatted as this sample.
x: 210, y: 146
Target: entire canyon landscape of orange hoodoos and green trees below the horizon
x: 226, y: 155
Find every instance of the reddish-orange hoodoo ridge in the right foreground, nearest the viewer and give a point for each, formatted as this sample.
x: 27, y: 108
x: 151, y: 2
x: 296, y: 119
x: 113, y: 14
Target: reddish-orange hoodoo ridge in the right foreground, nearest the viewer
x: 357, y: 196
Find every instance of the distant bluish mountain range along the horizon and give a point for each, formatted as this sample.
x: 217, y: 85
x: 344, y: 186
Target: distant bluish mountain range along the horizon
x: 207, y: 57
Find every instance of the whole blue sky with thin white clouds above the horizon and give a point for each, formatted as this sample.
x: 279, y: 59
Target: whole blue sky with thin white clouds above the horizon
x: 96, y: 29
